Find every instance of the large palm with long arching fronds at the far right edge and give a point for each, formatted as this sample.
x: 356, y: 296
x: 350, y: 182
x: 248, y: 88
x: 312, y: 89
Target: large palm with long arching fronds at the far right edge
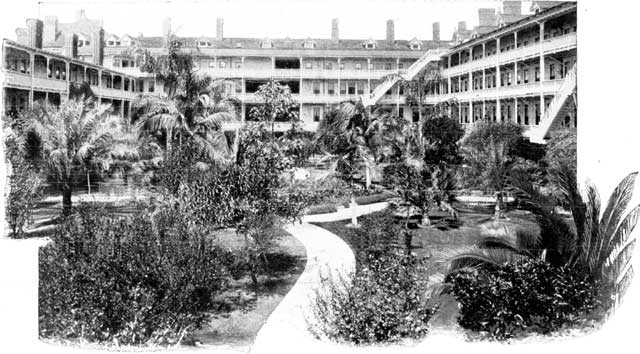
x: 601, y: 243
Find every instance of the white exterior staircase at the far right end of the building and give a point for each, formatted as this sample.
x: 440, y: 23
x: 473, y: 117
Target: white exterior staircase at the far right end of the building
x: 557, y: 108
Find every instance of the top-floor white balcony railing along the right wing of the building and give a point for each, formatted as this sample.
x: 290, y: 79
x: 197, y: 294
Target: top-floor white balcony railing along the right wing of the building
x: 552, y: 45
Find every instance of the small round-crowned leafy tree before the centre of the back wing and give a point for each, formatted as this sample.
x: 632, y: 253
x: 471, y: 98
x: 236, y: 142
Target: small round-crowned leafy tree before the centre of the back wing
x: 277, y: 105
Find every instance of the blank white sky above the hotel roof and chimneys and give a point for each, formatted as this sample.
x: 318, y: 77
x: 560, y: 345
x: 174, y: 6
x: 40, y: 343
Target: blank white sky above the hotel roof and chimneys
x: 253, y: 18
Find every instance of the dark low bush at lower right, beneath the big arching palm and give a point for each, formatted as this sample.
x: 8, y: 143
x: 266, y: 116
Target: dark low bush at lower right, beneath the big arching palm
x: 522, y: 298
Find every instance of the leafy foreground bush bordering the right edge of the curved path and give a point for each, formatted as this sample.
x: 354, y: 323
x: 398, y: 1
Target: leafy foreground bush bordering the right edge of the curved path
x: 385, y: 302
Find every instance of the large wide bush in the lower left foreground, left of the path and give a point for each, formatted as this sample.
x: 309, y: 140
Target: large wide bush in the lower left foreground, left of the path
x: 128, y: 280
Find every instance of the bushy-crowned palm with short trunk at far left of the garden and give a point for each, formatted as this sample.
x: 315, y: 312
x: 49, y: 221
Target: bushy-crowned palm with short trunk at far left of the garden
x: 73, y: 139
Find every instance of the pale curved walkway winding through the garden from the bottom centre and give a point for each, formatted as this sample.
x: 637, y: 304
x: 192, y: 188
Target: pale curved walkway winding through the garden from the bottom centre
x: 286, y: 329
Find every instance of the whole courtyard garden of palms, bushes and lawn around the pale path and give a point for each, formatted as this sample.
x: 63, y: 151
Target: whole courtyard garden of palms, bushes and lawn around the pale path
x: 482, y: 232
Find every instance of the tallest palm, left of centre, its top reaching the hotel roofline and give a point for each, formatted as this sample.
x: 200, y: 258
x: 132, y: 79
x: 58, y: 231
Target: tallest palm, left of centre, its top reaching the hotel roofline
x: 194, y: 107
